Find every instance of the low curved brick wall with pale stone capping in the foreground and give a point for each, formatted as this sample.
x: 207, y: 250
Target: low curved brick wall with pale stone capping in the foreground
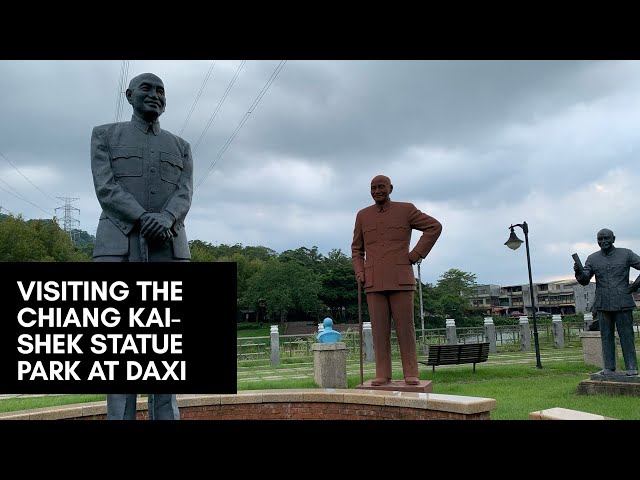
x: 311, y: 404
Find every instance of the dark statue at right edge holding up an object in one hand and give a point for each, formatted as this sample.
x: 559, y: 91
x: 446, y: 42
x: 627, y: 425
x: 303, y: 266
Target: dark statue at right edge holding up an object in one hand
x: 614, y: 303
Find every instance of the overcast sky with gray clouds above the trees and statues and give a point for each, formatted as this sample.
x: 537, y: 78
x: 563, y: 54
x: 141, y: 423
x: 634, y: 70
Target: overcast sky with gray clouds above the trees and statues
x: 478, y: 145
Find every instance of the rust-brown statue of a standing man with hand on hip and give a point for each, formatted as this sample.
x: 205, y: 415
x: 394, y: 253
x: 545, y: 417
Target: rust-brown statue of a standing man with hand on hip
x: 382, y: 262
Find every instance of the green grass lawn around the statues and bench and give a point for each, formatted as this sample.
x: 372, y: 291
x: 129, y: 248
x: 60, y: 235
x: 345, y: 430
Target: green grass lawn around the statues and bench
x: 509, y: 377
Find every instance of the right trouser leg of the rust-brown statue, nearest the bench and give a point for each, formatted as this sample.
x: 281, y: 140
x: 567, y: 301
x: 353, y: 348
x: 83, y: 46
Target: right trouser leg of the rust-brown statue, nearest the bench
x: 402, y: 313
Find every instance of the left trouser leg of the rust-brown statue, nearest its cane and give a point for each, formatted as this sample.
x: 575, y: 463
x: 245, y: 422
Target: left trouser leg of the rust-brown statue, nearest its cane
x: 380, y: 315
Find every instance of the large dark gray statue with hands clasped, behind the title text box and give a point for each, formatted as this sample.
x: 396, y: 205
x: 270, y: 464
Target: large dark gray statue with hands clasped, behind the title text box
x: 143, y: 177
